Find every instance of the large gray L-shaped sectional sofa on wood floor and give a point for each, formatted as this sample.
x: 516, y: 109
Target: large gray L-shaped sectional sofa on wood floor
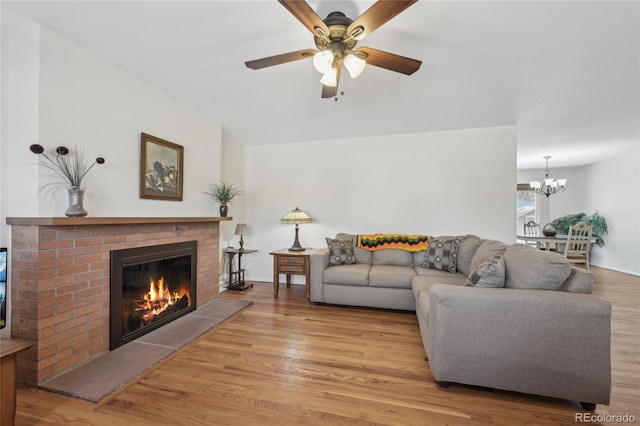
x: 507, y: 317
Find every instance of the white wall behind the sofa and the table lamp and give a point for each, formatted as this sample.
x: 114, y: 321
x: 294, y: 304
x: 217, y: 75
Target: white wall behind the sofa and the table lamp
x: 450, y: 182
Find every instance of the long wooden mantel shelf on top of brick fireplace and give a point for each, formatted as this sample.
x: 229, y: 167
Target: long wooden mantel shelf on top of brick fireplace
x: 74, y: 221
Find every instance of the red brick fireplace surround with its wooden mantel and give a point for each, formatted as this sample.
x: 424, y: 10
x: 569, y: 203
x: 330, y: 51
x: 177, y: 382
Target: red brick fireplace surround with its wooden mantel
x: 60, y: 281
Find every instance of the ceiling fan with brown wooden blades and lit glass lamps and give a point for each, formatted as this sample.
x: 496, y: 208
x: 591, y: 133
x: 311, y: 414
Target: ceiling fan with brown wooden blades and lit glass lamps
x: 336, y: 38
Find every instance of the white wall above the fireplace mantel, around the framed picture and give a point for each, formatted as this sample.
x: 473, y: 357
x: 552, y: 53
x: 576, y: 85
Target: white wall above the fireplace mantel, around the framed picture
x: 85, y: 101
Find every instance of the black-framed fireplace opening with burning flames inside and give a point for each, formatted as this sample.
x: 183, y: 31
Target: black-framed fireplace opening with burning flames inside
x: 150, y: 287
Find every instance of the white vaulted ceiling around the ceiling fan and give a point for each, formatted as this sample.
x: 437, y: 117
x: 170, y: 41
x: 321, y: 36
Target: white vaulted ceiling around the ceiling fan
x: 566, y: 72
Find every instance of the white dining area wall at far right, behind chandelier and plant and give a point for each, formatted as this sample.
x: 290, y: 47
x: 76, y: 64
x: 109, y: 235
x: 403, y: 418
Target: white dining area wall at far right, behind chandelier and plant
x: 612, y: 187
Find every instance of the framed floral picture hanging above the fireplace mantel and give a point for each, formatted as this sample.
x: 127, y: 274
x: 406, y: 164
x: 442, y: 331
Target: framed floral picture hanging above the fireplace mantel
x: 161, y: 169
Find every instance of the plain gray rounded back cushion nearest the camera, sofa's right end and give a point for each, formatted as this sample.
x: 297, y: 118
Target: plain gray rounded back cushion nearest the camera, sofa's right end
x: 530, y: 268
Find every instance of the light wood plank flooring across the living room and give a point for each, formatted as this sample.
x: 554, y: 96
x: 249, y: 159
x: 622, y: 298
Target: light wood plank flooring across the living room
x: 286, y: 362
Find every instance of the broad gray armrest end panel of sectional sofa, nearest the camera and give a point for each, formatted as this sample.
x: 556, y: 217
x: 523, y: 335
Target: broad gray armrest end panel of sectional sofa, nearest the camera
x: 544, y: 342
